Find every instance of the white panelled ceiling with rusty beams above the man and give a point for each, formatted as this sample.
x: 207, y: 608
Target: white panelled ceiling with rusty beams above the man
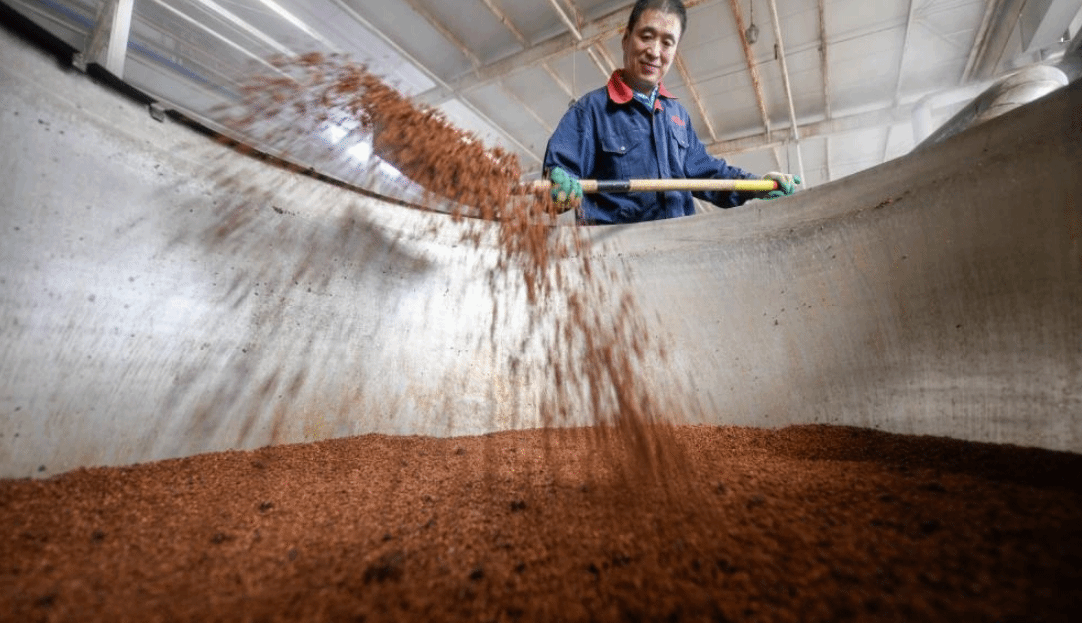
x: 828, y: 88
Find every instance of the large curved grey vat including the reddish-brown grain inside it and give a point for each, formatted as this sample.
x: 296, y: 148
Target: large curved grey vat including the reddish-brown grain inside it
x: 233, y: 392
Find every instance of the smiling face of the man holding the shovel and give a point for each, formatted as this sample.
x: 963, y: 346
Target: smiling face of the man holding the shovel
x: 649, y: 50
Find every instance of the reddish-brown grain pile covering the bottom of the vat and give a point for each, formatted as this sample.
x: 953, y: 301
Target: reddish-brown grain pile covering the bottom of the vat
x: 806, y: 524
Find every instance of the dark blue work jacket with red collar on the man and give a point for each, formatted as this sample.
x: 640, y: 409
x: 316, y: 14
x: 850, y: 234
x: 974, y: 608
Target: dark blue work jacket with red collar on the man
x: 611, y: 135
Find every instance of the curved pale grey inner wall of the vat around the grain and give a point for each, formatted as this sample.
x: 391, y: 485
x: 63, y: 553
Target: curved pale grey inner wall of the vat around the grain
x: 162, y: 296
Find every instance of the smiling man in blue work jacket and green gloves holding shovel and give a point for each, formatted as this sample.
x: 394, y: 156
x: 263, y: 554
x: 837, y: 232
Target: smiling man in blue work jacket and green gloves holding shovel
x: 635, y: 128
